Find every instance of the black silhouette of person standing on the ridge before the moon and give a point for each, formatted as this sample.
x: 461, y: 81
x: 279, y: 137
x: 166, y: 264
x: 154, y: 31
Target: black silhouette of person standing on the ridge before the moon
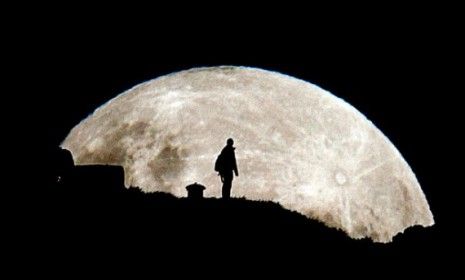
x: 225, y: 165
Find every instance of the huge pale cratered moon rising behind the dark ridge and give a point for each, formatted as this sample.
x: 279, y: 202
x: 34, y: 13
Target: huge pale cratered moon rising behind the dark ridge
x: 297, y: 144
